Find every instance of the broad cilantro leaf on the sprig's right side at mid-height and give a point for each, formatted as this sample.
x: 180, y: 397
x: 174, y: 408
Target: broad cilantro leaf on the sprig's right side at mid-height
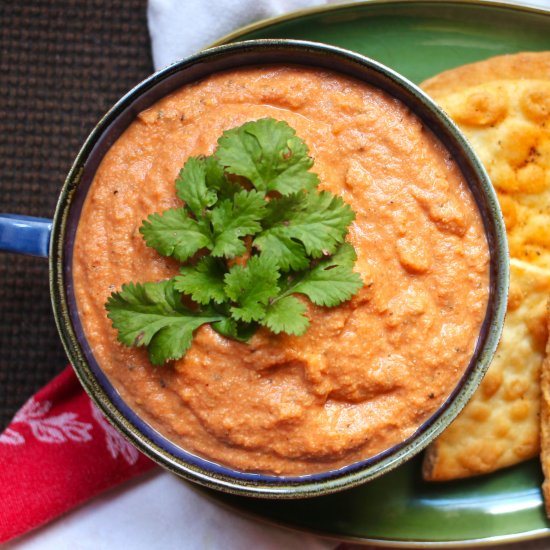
x: 319, y: 222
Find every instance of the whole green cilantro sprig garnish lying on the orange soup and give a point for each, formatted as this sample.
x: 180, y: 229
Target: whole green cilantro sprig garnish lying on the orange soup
x: 253, y: 233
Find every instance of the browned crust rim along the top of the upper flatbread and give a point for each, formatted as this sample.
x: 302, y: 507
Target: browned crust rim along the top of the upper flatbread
x: 520, y: 66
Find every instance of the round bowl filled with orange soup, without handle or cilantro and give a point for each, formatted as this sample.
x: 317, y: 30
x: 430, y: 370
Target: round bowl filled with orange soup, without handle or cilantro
x: 373, y: 380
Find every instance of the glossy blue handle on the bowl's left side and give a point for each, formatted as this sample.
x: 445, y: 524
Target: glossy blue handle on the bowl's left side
x: 25, y: 234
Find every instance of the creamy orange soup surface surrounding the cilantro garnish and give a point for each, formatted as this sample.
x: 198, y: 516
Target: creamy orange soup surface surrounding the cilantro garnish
x: 367, y: 373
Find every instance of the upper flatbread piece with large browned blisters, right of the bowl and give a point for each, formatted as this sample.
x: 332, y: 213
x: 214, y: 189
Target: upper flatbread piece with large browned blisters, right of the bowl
x: 503, y: 107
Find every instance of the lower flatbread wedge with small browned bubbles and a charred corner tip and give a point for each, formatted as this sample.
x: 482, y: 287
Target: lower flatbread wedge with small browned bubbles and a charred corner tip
x: 500, y: 425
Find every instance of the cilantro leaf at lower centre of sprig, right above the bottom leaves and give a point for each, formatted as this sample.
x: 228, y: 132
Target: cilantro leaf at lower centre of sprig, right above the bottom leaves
x: 251, y: 287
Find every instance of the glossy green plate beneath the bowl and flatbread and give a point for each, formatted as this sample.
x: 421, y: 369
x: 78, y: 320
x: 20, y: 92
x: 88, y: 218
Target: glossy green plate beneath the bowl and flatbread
x: 418, y: 39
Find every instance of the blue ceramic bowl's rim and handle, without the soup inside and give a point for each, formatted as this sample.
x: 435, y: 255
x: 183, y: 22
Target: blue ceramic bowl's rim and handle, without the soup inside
x: 32, y: 237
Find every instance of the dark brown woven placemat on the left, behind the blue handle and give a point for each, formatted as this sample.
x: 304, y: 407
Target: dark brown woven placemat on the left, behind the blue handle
x: 63, y: 63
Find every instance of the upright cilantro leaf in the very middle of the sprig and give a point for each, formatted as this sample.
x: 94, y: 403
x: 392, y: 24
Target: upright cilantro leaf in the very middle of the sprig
x: 236, y: 218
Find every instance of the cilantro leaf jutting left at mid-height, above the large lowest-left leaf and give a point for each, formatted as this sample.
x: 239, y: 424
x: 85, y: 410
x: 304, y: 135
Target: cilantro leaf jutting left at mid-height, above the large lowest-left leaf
x: 174, y: 233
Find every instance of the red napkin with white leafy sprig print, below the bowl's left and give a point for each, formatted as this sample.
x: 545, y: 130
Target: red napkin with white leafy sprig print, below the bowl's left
x: 58, y: 452
